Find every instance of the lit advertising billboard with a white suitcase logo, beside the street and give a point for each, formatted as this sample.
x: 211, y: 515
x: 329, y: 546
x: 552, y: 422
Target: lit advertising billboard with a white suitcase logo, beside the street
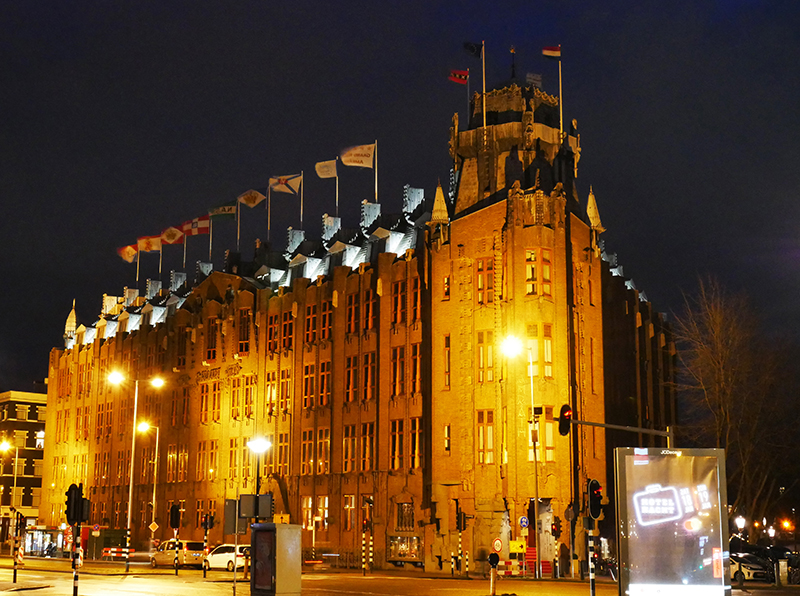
x: 673, y: 522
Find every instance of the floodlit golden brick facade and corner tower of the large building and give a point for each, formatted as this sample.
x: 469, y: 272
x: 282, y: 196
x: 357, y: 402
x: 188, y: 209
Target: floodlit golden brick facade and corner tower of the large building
x: 371, y: 360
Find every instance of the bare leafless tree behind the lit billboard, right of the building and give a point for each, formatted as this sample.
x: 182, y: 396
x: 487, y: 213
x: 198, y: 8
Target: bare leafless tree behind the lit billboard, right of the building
x: 734, y: 390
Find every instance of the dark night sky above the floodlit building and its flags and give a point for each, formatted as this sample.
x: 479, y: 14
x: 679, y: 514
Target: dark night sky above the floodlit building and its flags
x: 121, y: 118
